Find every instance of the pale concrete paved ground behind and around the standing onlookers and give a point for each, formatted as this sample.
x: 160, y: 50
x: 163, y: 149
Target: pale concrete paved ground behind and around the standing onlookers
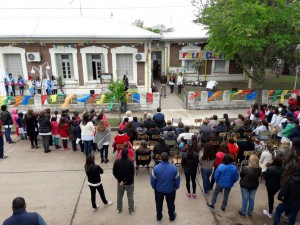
x: 55, y: 185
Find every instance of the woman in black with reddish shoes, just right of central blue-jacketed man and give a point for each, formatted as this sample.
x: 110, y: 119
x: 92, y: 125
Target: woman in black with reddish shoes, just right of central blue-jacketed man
x: 190, y: 163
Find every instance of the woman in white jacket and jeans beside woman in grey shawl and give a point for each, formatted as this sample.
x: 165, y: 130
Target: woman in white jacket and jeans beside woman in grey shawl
x: 87, y: 133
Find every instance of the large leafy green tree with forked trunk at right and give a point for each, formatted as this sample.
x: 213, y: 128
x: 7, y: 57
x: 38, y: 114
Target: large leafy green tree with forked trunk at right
x: 250, y: 31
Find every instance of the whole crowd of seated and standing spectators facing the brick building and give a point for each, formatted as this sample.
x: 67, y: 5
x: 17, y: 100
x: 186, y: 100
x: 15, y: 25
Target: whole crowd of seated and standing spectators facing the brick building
x: 271, y: 133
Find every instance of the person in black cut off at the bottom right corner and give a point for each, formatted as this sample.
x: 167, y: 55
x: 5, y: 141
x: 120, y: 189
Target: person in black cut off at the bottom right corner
x: 289, y: 197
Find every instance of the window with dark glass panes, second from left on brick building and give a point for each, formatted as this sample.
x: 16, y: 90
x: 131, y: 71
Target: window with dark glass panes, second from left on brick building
x: 65, y: 66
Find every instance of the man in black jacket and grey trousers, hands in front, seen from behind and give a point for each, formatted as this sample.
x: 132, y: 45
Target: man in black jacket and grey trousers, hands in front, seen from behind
x: 123, y: 171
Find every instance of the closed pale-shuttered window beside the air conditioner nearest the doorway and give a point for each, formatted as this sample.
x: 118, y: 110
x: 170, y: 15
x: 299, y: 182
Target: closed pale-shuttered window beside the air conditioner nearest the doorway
x: 124, y: 65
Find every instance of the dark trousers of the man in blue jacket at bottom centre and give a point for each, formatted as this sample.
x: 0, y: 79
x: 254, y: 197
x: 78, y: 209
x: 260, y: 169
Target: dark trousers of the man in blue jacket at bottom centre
x: 159, y: 199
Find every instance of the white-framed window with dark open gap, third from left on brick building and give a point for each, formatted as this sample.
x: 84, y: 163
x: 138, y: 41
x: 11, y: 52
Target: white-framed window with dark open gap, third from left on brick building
x: 95, y: 64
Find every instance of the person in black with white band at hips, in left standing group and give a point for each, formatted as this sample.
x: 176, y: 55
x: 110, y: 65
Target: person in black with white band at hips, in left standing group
x: 45, y: 130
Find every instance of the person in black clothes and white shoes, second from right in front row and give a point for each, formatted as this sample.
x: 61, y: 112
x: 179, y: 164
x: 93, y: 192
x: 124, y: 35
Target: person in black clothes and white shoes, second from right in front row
x: 272, y: 178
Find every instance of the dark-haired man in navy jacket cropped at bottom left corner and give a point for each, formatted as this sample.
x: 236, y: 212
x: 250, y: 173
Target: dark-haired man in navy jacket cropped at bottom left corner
x: 20, y: 216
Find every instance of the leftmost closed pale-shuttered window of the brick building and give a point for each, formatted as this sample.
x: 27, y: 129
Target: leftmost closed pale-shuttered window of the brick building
x: 13, y: 64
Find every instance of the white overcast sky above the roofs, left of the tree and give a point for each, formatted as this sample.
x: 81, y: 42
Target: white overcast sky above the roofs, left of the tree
x: 171, y: 13
